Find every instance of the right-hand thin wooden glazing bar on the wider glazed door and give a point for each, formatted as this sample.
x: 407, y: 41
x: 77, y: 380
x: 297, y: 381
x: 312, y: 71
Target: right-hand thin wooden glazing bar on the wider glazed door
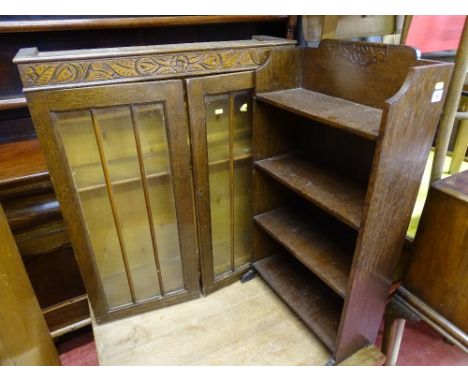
x: 144, y: 181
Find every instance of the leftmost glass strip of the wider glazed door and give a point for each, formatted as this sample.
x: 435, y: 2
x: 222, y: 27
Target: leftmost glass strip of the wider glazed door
x: 77, y: 135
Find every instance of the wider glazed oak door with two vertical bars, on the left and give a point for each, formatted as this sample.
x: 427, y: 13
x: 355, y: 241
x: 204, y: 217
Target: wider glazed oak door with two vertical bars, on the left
x: 119, y: 157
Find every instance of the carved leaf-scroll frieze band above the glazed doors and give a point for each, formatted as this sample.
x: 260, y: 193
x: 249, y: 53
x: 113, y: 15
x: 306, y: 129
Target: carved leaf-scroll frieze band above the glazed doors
x: 152, y: 66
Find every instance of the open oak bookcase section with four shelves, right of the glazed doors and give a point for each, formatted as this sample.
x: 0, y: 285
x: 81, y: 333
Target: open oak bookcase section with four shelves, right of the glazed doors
x: 340, y: 145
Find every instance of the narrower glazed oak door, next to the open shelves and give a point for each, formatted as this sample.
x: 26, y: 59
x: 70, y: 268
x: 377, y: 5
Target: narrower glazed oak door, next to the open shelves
x: 220, y: 111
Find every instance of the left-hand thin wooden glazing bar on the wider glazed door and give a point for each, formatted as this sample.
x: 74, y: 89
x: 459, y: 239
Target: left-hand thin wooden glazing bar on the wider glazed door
x: 110, y: 192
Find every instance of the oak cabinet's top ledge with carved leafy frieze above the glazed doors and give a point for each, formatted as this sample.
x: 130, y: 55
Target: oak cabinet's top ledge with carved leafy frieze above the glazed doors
x: 77, y: 68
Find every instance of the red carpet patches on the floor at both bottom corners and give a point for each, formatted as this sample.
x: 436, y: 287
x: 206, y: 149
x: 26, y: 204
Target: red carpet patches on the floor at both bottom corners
x: 421, y: 346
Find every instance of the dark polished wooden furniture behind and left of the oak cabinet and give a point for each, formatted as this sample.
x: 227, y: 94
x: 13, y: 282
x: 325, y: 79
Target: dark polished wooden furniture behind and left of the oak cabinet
x: 25, y: 187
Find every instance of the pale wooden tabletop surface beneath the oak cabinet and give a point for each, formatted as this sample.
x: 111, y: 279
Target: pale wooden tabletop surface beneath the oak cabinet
x: 242, y: 324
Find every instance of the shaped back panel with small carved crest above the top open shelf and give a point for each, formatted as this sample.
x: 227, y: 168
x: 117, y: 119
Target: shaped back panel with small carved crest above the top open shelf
x: 365, y: 73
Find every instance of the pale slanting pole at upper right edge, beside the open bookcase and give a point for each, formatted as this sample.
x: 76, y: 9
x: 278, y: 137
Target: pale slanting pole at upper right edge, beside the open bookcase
x: 451, y: 104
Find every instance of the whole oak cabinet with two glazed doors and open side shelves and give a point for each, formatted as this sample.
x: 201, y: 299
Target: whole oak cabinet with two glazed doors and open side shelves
x: 180, y: 167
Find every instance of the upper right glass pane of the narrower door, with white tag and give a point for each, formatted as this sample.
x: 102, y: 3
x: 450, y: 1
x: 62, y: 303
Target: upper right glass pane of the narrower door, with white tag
x: 242, y: 124
